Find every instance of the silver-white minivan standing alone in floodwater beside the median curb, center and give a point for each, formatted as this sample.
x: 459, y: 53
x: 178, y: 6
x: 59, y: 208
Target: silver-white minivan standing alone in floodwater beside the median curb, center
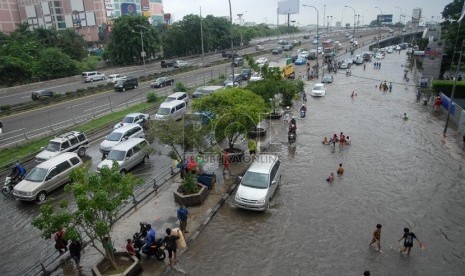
x: 259, y: 183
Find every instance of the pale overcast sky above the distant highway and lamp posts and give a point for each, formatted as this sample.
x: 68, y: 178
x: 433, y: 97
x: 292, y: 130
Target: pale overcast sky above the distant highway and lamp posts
x: 260, y: 11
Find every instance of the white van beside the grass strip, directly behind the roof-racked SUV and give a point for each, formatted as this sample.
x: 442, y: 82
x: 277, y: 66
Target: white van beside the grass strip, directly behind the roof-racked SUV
x: 119, y: 135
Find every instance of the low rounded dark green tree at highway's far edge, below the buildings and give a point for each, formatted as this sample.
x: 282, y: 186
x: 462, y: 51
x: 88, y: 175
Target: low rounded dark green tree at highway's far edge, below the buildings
x: 52, y: 64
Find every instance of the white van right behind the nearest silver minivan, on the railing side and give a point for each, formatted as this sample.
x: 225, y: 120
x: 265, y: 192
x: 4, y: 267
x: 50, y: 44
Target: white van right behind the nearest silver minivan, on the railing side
x: 127, y: 154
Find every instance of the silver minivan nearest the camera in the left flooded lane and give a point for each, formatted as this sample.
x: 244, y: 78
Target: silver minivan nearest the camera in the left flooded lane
x: 46, y: 177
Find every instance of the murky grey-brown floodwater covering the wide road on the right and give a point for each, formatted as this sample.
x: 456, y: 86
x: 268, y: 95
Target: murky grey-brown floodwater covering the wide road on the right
x: 397, y: 173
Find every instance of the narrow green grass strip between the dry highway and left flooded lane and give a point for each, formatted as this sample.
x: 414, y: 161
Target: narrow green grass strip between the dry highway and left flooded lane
x: 28, y: 150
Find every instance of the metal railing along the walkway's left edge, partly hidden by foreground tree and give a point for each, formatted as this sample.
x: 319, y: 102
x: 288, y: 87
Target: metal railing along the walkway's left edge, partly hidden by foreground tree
x: 54, y: 261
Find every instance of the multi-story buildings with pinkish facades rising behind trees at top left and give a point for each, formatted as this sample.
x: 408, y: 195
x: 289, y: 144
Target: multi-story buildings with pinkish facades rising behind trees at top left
x: 90, y: 17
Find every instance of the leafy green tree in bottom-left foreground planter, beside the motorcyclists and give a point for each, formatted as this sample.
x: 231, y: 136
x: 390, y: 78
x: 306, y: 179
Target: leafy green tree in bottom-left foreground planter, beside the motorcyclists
x: 98, y: 197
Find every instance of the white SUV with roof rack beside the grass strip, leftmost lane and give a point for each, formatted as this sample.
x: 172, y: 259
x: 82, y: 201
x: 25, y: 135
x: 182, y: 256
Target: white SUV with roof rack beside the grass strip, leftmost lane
x: 73, y: 141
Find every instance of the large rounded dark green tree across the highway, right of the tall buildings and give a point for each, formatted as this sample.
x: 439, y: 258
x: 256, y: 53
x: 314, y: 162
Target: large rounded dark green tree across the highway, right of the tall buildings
x: 125, y: 44
